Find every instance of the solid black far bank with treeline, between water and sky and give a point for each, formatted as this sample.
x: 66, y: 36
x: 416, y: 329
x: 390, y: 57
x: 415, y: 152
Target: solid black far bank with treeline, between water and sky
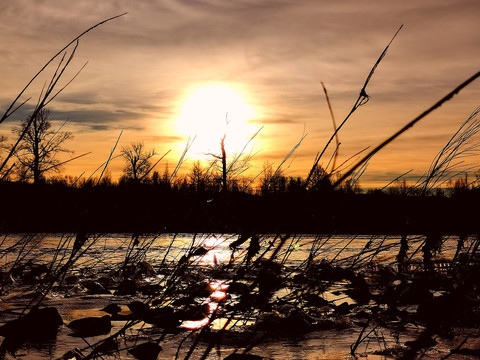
x: 186, y: 206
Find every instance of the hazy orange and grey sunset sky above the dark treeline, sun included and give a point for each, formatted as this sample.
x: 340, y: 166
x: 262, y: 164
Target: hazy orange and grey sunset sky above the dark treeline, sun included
x: 161, y: 73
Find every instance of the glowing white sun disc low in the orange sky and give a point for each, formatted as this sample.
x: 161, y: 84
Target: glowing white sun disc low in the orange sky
x: 211, y: 111
